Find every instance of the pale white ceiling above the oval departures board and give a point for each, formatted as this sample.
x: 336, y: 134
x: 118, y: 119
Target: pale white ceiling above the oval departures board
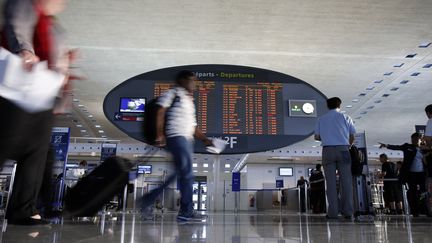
x: 339, y: 46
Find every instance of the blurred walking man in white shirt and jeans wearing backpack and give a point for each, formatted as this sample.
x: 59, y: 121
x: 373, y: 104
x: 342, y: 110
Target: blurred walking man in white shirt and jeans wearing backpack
x: 176, y: 130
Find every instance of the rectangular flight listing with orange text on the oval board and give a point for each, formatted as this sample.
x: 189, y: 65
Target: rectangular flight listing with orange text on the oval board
x: 247, y: 109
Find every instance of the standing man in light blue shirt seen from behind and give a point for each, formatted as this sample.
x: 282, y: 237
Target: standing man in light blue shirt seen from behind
x: 336, y: 132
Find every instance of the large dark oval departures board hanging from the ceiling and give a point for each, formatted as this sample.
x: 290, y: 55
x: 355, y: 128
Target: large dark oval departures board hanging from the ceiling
x: 252, y: 109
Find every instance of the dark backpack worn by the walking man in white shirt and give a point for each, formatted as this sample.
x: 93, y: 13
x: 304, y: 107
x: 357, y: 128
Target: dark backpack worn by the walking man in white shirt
x: 150, y: 119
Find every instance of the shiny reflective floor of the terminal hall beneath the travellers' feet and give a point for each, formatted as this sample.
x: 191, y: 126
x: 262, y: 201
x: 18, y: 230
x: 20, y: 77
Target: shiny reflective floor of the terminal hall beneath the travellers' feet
x: 229, y: 227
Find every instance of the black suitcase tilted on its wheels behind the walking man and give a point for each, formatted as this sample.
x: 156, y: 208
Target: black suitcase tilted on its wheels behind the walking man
x: 93, y: 191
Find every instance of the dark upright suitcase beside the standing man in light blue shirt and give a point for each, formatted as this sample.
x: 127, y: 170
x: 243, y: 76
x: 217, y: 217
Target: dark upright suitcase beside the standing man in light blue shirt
x: 363, y: 206
